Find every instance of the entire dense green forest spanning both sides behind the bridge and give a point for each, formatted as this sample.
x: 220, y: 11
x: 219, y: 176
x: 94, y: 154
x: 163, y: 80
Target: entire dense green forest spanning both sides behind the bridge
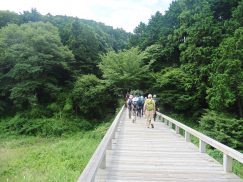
x: 61, y: 74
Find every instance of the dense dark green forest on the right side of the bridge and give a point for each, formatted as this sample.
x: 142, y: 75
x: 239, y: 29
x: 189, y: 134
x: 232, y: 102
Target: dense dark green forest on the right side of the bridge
x: 197, y: 67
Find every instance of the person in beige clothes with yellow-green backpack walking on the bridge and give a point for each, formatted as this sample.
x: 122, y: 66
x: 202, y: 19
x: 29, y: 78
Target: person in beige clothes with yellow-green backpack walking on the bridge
x: 149, y: 109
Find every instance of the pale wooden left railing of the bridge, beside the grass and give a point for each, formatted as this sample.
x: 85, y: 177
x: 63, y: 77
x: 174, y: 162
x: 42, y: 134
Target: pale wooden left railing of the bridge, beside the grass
x: 99, y: 156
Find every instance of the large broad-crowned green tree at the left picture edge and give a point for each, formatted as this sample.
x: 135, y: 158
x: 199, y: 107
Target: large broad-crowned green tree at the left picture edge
x: 34, y: 63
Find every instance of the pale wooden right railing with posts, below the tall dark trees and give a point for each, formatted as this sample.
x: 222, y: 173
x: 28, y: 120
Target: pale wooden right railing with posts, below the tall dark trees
x: 229, y: 153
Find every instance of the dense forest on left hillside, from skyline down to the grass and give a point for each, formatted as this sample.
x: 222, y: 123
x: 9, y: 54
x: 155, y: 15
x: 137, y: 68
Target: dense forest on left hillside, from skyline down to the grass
x: 48, y: 69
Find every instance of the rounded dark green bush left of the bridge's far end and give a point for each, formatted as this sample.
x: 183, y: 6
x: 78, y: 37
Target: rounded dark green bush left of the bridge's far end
x: 91, y: 97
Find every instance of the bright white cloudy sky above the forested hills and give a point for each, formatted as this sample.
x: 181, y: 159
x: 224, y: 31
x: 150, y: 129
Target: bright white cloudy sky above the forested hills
x: 125, y: 14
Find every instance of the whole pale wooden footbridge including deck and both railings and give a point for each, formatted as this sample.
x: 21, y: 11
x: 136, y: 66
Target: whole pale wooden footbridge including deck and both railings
x: 132, y: 152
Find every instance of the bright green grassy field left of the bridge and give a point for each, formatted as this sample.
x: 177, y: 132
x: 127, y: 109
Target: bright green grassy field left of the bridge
x: 29, y: 158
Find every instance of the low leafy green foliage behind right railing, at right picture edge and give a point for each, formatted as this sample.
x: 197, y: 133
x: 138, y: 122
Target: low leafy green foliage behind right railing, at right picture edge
x: 224, y: 128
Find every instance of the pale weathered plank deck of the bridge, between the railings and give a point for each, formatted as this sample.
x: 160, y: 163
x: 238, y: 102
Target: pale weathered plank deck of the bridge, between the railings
x: 145, y: 154
